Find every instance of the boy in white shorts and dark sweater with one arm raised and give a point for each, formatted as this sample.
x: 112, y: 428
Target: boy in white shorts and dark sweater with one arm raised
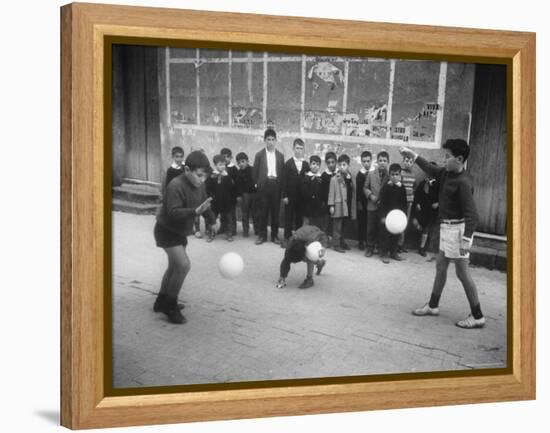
x: 458, y: 218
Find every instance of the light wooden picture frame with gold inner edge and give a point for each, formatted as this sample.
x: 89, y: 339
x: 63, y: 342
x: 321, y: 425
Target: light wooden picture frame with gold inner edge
x: 86, y: 30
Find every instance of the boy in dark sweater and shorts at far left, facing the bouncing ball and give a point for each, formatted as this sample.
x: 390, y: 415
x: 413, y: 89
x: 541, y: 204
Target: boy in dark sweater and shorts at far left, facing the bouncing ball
x: 185, y: 198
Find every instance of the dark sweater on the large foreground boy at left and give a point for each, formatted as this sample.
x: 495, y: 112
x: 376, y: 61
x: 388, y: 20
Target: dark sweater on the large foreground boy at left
x: 177, y: 212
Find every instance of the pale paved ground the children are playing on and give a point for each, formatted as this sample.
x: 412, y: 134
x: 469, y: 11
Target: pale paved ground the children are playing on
x: 356, y: 320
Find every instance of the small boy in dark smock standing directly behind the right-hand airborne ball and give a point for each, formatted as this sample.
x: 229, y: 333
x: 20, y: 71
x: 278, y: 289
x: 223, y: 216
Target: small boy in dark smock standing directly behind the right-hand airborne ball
x: 392, y: 196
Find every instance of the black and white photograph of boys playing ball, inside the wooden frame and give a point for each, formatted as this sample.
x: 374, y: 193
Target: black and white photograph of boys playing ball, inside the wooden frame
x: 281, y: 216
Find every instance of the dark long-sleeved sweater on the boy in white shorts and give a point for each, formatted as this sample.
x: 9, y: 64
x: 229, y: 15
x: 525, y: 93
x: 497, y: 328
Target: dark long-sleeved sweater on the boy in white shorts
x: 456, y: 195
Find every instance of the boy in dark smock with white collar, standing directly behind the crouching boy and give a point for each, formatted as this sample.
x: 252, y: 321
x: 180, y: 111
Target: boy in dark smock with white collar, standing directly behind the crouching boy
x: 314, y: 204
